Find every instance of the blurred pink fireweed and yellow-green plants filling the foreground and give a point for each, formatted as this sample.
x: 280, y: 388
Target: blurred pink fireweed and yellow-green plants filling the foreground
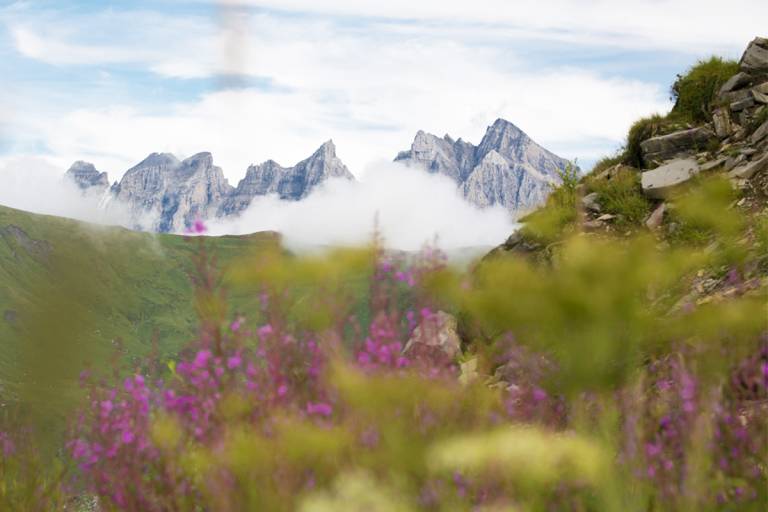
x: 582, y: 383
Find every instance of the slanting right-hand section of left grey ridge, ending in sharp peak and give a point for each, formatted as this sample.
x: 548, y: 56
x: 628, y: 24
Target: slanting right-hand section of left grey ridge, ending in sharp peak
x: 289, y: 183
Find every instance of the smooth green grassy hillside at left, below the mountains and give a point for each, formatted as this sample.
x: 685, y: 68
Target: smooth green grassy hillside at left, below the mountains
x: 72, y: 292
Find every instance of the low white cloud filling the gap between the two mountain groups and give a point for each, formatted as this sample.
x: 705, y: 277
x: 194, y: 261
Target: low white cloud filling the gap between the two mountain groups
x: 412, y: 208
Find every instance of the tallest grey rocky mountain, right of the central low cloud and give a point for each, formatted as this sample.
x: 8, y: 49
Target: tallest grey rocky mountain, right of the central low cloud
x: 507, y: 168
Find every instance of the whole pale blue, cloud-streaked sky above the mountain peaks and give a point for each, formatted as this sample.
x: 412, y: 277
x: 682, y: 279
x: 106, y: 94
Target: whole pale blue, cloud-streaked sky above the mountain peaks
x: 110, y: 82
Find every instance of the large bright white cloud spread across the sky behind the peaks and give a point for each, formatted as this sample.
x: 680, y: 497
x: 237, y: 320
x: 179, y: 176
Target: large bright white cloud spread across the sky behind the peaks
x: 370, y: 92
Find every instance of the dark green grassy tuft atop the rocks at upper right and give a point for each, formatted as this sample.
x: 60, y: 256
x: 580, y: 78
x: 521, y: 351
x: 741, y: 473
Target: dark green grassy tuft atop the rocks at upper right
x: 694, y: 92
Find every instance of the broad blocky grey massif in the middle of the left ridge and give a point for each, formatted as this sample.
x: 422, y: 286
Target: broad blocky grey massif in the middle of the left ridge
x: 173, y: 193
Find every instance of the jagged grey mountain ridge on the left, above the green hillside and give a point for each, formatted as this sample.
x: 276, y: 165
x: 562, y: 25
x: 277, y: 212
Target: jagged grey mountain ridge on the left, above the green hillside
x: 165, y: 194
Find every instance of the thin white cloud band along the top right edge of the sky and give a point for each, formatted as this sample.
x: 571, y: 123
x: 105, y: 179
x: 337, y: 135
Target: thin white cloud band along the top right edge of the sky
x: 679, y: 25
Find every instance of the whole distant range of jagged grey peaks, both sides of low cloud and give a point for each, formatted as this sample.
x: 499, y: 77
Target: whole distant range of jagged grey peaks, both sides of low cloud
x: 165, y: 194
